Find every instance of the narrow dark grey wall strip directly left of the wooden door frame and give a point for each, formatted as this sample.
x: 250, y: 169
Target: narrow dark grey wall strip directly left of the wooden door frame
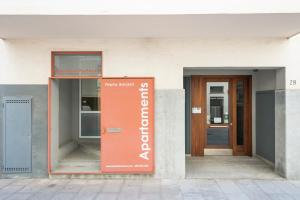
x: 187, y: 87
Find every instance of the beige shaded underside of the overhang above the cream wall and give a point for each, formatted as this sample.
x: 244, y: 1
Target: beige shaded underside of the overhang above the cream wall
x: 96, y: 26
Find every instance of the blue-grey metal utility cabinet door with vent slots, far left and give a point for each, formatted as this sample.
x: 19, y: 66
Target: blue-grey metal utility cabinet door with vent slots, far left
x: 16, y: 134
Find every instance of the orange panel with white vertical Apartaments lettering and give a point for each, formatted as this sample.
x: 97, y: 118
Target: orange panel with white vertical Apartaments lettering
x: 127, y: 125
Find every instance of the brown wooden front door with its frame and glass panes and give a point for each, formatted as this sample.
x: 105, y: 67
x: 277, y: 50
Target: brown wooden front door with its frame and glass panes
x: 221, y: 115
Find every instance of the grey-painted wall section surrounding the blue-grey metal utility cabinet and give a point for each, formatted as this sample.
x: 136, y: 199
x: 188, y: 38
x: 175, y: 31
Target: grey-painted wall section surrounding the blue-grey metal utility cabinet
x: 39, y: 123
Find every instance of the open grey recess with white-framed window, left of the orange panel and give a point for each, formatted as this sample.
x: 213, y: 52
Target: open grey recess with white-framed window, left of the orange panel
x: 75, y: 138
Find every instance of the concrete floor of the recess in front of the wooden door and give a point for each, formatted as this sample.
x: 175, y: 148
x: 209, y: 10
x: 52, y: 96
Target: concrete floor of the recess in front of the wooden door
x: 229, y: 167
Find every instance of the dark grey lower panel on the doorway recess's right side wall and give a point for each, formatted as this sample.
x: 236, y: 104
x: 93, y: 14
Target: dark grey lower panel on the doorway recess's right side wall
x: 265, y: 124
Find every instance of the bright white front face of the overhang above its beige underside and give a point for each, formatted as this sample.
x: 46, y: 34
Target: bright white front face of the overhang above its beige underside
x: 153, y: 7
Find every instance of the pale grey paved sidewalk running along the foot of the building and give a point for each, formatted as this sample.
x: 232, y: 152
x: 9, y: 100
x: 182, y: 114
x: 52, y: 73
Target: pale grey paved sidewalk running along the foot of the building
x: 152, y: 189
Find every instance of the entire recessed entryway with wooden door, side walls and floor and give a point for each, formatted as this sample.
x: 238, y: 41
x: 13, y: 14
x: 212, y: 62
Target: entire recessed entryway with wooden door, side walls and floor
x: 232, y: 116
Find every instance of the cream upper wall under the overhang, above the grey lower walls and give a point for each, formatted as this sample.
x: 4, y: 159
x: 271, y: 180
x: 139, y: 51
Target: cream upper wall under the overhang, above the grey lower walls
x: 28, y: 61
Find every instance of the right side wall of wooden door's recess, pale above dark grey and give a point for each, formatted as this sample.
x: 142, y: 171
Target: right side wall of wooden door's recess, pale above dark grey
x: 267, y: 84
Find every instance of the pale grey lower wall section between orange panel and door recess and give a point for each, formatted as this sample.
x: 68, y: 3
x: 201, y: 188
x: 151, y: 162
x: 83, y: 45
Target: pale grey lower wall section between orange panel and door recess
x: 169, y: 134
